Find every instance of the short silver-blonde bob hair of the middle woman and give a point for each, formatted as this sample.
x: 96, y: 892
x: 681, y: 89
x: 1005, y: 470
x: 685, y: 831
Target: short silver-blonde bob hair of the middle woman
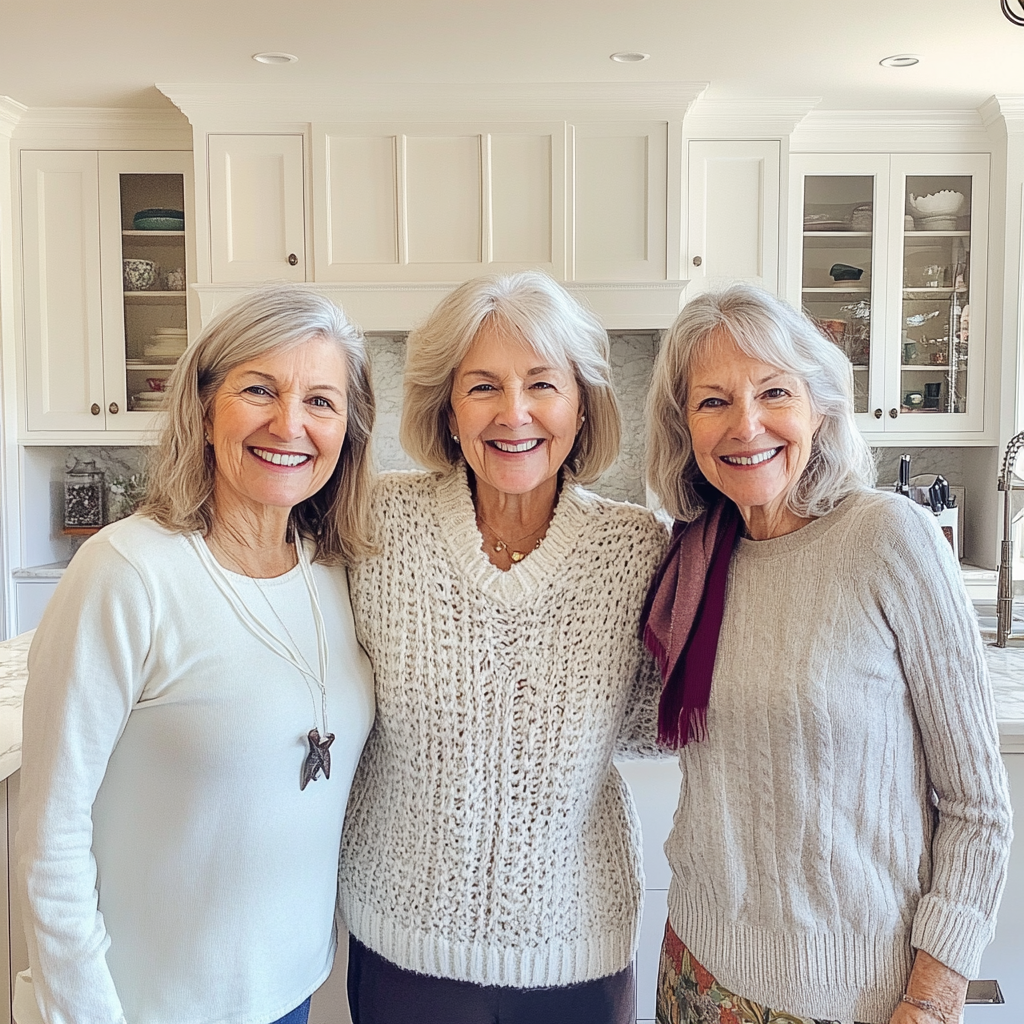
x: 529, y: 306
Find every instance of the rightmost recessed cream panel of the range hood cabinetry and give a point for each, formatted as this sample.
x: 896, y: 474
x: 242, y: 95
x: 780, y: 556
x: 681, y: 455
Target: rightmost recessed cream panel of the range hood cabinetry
x: 619, y: 209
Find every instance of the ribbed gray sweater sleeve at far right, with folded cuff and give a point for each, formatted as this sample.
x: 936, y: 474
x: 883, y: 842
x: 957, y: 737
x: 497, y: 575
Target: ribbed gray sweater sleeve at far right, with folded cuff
x: 923, y: 596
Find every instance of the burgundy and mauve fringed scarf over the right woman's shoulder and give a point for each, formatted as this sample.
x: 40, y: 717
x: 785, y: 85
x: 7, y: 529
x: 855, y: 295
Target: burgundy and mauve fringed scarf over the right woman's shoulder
x: 682, y: 619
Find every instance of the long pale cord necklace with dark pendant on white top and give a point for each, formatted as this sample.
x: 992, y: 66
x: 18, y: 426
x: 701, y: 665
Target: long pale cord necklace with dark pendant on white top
x: 319, y: 758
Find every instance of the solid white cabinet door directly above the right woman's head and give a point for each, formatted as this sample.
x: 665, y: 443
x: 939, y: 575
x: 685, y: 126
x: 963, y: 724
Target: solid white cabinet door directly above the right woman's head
x: 733, y: 215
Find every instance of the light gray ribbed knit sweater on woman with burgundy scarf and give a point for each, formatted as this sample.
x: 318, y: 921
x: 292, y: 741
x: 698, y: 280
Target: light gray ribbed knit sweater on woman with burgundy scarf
x: 850, y: 802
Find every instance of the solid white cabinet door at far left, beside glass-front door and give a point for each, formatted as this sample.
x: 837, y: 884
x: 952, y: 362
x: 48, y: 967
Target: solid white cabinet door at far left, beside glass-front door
x: 64, y: 357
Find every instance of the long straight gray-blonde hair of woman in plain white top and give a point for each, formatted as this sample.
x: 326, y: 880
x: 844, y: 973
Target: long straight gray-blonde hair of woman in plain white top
x: 180, y: 495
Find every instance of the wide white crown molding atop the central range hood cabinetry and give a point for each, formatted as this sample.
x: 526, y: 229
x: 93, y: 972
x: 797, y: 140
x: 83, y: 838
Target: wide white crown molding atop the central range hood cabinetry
x: 246, y: 105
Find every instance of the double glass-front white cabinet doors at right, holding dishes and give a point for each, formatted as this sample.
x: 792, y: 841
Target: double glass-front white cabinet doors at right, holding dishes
x: 904, y: 296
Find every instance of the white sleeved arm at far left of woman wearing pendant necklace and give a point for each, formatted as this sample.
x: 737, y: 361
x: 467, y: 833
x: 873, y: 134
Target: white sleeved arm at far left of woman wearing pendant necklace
x: 86, y: 671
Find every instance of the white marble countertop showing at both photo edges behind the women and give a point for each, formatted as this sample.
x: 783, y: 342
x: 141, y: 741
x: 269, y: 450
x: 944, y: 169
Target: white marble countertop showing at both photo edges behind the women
x: 1006, y: 667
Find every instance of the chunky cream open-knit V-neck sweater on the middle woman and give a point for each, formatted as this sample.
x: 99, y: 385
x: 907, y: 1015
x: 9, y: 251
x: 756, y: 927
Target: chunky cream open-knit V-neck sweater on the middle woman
x: 489, y: 837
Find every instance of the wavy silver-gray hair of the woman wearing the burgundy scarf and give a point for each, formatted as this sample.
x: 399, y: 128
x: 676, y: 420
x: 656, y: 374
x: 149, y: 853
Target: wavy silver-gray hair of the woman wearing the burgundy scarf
x: 770, y: 330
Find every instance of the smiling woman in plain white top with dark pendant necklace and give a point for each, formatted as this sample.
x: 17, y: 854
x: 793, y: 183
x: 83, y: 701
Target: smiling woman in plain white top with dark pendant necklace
x: 182, y: 797
